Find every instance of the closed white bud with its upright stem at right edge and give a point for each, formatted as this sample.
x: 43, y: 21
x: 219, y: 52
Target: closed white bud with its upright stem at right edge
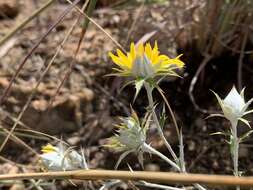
x: 234, y: 107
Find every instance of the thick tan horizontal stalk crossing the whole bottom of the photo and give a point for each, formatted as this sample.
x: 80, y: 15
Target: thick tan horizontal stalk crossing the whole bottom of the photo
x: 156, y: 177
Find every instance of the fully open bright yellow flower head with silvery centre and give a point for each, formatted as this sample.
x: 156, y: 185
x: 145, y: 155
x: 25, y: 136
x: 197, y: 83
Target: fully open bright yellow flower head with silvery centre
x: 145, y: 61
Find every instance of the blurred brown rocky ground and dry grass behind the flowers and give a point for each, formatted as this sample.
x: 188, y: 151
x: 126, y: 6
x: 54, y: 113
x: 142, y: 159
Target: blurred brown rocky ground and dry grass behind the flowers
x: 77, y: 103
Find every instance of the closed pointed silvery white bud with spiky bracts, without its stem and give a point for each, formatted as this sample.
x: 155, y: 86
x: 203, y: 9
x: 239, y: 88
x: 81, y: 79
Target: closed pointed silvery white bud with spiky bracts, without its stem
x: 234, y: 106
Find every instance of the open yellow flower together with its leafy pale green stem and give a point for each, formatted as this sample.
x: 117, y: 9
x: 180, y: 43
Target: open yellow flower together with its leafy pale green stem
x: 147, y: 66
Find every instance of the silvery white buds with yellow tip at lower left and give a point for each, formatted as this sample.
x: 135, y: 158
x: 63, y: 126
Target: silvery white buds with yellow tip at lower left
x: 60, y: 159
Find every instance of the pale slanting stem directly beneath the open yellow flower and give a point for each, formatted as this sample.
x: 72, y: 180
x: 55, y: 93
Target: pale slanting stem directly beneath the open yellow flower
x: 151, y: 104
